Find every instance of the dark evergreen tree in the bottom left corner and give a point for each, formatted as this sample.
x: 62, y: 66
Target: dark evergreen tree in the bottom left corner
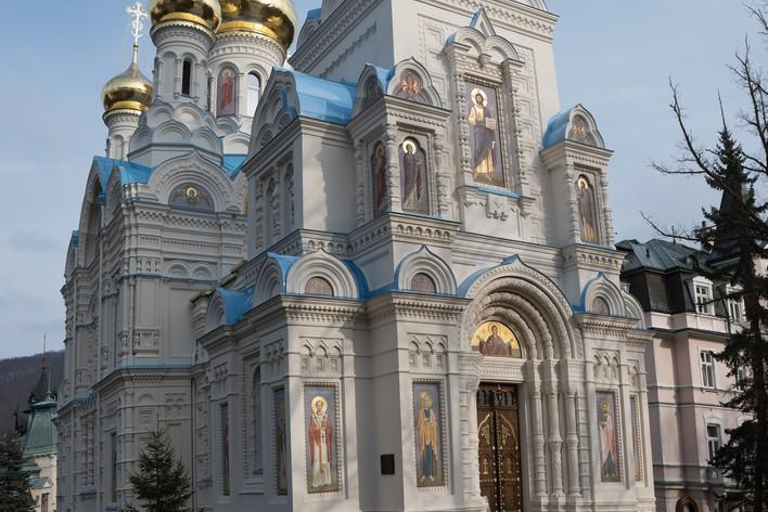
x: 14, y: 483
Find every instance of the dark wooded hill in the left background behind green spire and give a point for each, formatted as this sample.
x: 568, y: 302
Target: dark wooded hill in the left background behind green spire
x: 18, y: 377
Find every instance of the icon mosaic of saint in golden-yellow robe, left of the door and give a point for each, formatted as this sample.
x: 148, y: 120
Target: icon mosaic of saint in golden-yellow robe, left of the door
x: 428, y: 414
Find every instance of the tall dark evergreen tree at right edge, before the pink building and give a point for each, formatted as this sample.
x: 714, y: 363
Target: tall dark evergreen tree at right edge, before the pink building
x: 736, y: 232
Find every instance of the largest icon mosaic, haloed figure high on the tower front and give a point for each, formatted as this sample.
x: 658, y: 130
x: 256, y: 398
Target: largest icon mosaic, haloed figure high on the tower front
x: 484, y: 134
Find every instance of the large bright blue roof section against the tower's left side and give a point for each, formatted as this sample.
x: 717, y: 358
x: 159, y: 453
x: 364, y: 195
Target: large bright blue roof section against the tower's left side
x: 323, y: 100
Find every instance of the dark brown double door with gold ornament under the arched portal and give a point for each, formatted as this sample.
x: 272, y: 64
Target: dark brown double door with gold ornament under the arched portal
x: 499, y: 449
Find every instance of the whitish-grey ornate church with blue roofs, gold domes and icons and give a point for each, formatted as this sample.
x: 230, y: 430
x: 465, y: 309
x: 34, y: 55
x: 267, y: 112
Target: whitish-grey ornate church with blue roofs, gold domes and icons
x: 376, y: 276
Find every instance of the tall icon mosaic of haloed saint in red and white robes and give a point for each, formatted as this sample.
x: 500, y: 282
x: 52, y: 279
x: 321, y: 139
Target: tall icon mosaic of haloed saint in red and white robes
x: 322, y: 435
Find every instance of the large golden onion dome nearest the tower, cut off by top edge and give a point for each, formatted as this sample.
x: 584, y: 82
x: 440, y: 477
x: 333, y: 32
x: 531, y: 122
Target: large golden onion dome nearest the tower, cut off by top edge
x: 275, y: 19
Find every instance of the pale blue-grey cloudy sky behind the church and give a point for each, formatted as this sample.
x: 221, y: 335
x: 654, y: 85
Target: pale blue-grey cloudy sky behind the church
x: 613, y: 56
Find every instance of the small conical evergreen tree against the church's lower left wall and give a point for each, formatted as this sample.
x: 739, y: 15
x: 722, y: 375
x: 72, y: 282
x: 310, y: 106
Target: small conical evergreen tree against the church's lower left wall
x: 162, y: 483
